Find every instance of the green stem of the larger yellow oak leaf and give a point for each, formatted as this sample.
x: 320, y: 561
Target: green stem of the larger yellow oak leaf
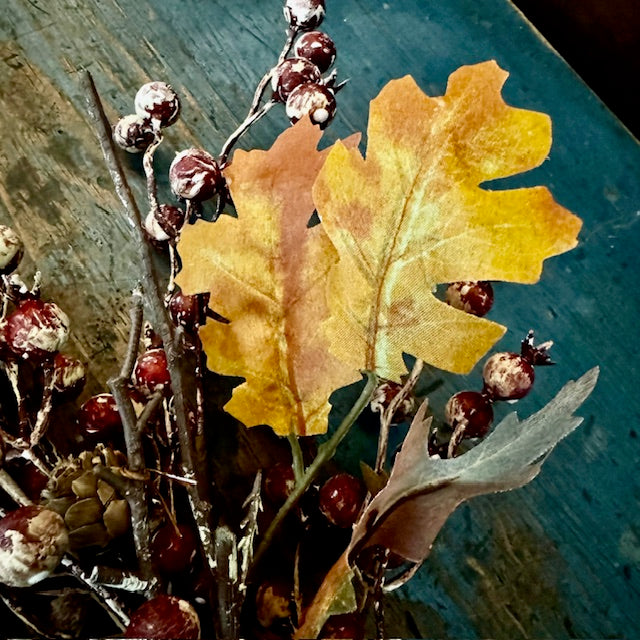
x: 325, y: 452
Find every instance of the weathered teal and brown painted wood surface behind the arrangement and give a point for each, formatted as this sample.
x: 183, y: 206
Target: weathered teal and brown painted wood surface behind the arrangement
x: 559, y: 558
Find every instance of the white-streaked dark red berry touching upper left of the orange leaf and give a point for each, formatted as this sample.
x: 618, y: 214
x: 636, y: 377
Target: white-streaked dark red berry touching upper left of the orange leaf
x: 195, y: 175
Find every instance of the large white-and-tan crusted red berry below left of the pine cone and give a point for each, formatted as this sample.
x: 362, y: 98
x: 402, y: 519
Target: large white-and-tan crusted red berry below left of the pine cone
x: 32, y: 542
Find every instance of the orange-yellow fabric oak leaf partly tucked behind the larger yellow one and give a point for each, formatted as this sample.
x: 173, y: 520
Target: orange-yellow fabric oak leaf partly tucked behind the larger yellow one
x: 266, y: 271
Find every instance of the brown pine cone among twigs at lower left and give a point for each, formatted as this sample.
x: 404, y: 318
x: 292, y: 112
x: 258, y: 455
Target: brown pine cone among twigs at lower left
x: 92, y: 509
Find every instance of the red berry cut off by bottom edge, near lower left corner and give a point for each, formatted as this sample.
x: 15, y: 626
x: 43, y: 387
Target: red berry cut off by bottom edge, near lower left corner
x: 164, y: 617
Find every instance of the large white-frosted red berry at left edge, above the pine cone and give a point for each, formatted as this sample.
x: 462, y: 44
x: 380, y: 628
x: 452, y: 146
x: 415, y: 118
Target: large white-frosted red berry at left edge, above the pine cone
x: 36, y: 329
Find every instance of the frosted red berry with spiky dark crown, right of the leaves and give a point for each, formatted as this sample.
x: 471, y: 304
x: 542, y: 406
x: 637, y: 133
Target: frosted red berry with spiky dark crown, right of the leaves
x: 507, y: 376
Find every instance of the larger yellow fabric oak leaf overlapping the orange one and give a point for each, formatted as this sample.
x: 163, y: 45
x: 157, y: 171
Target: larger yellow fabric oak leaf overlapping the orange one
x: 413, y: 214
